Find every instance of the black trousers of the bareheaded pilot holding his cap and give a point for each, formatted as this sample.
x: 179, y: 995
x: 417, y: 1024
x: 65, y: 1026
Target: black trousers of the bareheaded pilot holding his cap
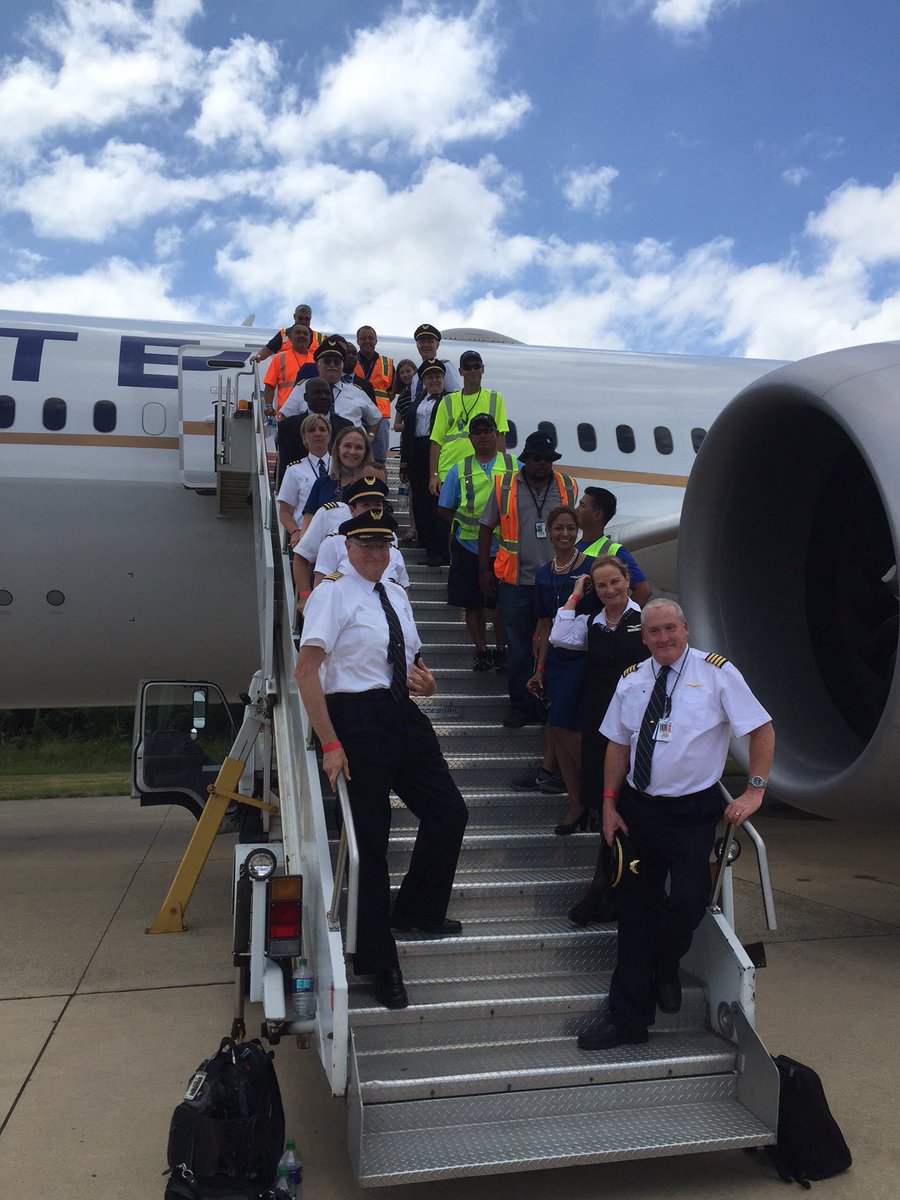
x: 670, y: 837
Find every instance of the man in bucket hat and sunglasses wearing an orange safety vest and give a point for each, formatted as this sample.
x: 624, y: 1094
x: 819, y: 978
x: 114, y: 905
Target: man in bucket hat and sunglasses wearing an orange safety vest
x: 520, y: 506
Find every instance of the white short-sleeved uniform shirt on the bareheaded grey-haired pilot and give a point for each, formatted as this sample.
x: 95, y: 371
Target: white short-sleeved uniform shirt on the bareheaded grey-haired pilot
x: 707, y: 705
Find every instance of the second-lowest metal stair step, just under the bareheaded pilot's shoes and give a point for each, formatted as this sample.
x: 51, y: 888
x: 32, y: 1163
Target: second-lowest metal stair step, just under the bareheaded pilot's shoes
x: 525, y: 1066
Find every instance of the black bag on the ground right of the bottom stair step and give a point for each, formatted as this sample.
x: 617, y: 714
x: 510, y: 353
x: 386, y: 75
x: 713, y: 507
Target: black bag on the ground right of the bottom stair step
x: 811, y: 1144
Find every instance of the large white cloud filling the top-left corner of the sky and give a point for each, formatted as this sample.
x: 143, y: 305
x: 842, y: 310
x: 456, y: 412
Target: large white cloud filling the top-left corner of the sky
x: 115, y: 59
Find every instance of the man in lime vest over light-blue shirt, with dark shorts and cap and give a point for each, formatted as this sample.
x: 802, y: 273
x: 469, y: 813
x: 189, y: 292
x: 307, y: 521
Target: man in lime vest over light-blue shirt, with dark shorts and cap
x: 463, y: 501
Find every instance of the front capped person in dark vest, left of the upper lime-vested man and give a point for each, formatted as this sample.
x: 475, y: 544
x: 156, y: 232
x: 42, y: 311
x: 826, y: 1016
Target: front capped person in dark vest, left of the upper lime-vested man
x: 415, y: 461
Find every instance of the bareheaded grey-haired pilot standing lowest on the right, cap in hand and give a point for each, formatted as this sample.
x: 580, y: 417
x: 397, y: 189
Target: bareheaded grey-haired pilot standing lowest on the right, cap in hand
x: 669, y: 725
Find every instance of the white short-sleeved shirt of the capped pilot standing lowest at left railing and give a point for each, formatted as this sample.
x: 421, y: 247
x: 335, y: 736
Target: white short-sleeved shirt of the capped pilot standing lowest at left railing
x: 346, y: 620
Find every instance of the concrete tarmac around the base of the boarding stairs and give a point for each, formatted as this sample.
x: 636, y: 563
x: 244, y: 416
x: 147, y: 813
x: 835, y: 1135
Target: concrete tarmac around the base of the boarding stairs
x: 101, y: 1025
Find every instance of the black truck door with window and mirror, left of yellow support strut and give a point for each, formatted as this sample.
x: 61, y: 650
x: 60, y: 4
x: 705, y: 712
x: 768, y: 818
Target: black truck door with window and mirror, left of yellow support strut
x: 184, y: 730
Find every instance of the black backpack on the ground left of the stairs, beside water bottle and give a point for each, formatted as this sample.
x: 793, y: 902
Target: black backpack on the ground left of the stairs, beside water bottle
x: 226, y: 1137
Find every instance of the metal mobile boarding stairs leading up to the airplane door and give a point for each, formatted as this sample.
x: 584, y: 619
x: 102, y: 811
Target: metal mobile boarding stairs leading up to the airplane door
x: 482, y: 1073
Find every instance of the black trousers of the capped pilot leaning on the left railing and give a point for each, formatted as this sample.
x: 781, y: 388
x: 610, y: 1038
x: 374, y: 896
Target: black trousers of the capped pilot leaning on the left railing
x: 393, y: 746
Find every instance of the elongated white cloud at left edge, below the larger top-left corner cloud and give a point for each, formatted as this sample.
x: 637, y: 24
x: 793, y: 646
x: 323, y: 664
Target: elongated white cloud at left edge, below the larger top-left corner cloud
x: 122, y: 188
